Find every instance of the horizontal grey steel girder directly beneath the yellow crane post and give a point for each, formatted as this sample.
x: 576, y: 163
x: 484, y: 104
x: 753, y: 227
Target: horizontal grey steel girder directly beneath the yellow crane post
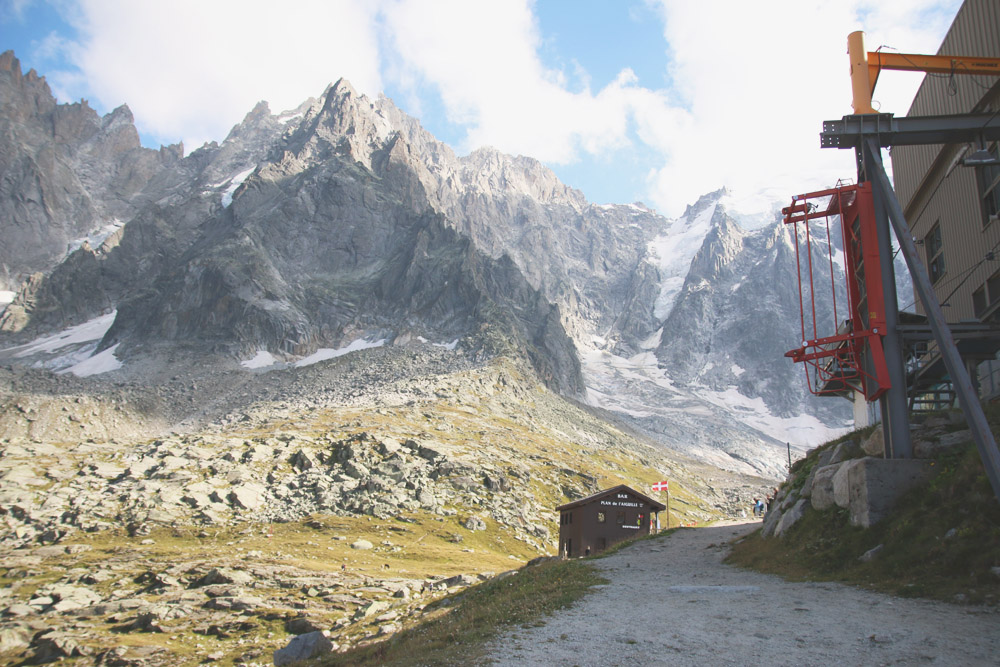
x: 887, y: 130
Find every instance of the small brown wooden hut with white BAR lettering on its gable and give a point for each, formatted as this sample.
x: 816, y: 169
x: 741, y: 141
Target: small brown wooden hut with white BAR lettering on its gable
x: 592, y: 524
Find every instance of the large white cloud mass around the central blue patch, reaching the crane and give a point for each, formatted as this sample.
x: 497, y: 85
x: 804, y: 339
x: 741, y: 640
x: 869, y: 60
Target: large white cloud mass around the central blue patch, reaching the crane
x: 750, y: 88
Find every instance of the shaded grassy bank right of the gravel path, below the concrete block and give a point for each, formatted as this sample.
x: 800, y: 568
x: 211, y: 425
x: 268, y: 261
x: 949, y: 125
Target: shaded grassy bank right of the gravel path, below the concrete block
x: 941, y: 541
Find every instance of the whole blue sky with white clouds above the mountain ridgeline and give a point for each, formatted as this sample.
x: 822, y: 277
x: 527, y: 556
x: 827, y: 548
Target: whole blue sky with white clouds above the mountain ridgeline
x: 657, y: 101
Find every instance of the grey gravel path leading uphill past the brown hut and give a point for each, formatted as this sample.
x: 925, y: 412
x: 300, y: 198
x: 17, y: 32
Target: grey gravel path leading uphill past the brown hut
x: 673, y: 602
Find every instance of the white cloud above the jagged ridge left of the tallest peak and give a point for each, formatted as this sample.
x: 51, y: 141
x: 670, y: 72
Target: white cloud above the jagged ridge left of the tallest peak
x: 190, y: 70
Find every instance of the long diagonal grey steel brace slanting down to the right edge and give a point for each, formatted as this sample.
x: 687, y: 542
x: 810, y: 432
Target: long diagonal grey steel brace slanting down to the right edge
x: 967, y: 396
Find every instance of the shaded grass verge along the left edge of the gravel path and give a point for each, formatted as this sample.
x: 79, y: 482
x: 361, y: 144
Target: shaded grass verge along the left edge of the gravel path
x: 454, y: 630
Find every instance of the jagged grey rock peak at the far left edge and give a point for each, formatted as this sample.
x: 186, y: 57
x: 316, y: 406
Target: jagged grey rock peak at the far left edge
x: 72, y: 173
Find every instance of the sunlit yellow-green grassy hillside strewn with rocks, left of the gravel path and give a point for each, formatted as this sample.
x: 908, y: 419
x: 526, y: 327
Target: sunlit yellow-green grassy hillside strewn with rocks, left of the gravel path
x: 547, y: 450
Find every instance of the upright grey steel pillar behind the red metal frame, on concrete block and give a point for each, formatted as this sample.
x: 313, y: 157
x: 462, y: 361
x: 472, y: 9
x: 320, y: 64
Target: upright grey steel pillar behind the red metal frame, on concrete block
x: 895, y: 408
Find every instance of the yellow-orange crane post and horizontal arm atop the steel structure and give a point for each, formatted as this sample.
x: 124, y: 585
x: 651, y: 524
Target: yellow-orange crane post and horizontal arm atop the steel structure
x: 866, y: 65
